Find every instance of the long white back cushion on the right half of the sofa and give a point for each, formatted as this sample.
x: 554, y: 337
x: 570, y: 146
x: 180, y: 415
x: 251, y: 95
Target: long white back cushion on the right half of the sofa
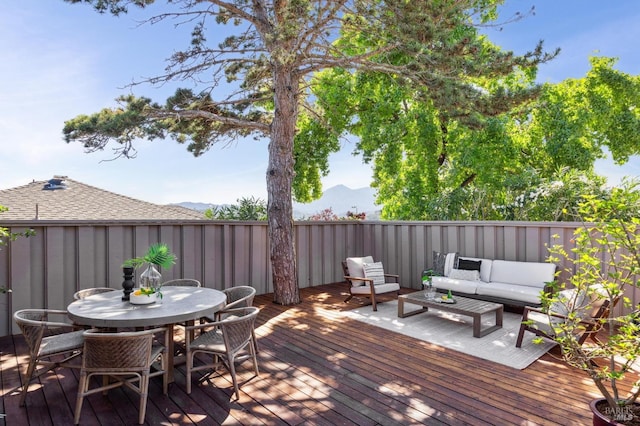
x: 533, y: 274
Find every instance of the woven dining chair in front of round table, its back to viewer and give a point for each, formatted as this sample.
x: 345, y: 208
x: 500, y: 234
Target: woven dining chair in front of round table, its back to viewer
x: 126, y: 357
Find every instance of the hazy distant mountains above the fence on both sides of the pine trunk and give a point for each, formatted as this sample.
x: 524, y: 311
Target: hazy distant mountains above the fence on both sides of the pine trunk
x: 340, y: 199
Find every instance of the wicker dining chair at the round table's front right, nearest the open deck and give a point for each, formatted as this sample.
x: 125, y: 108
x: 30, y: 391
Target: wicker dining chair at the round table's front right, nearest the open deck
x: 229, y: 341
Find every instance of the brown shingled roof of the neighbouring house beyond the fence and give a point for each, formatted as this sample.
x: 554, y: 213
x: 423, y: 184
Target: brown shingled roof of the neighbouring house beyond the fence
x: 61, y: 198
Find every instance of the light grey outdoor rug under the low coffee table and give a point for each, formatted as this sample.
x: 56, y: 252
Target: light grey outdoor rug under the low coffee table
x: 455, y: 332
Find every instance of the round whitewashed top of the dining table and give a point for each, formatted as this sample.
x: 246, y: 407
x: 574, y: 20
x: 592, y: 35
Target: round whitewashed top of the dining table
x: 179, y: 304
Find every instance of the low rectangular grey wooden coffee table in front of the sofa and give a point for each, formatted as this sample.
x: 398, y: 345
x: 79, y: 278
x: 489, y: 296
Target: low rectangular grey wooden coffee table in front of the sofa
x: 463, y: 306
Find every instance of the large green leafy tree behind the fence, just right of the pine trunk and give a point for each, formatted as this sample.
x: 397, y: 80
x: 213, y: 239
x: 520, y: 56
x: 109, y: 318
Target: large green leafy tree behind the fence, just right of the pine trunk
x: 425, y: 143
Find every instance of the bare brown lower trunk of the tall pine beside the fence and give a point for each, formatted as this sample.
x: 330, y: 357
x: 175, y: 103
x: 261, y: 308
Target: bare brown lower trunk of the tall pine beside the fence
x: 279, y: 183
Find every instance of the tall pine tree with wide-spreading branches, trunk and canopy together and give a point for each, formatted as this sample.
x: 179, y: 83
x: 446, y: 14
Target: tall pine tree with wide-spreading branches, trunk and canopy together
x: 271, y: 50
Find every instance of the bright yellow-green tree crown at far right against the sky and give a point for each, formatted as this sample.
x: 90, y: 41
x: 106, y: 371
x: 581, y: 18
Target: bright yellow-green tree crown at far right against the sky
x: 577, y: 118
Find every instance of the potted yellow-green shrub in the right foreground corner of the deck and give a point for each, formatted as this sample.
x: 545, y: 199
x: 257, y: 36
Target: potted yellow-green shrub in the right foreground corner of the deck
x: 602, y: 266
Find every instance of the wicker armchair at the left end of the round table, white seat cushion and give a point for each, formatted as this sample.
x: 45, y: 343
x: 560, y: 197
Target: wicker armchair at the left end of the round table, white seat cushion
x: 47, y: 339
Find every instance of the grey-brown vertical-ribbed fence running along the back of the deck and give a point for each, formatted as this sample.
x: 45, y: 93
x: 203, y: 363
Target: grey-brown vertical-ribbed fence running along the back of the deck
x: 45, y: 270
